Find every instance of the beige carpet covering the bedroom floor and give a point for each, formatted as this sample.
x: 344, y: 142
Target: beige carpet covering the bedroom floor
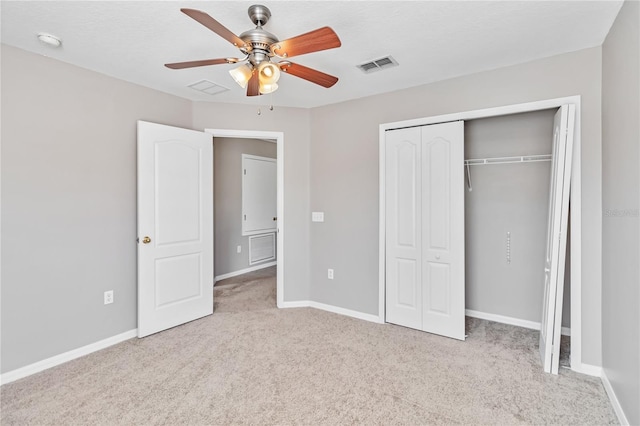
x: 250, y: 363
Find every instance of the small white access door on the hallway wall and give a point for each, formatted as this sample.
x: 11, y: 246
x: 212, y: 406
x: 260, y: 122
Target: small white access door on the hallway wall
x: 259, y: 194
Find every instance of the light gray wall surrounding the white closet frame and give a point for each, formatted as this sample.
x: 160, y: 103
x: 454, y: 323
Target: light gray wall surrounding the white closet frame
x: 344, y: 173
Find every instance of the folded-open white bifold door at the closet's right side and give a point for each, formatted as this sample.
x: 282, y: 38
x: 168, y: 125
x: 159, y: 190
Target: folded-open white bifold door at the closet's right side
x: 556, y: 237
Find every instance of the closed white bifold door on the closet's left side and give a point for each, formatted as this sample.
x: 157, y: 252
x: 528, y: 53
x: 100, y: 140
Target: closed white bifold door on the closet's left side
x: 425, y: 228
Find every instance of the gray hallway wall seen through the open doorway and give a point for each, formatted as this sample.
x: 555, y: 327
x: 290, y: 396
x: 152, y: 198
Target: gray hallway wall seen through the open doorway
x: 228, y: 200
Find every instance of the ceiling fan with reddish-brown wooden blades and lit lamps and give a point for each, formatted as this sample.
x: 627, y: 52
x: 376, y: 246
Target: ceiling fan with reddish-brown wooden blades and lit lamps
x: 259, y: 75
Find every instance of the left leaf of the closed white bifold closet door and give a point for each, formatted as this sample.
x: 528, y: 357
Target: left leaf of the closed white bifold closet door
x: 403, y: 270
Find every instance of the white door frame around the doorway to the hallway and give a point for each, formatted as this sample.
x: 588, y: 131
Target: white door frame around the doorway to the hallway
x: 279, y: 140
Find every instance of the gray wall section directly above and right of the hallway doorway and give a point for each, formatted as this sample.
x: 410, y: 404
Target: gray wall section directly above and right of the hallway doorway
x: 294, y: 123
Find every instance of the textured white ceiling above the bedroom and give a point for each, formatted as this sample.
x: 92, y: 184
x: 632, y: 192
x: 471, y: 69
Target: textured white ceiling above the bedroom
x: 431, y: 40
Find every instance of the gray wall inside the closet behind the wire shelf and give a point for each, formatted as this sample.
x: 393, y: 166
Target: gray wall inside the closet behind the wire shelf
x: 514, y: 199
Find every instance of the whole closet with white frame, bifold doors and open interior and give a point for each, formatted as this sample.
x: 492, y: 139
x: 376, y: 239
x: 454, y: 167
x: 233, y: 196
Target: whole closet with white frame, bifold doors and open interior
x: 509, y: 168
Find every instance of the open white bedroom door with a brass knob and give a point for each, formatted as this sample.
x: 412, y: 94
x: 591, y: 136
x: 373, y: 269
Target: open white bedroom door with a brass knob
x: 175, y: 226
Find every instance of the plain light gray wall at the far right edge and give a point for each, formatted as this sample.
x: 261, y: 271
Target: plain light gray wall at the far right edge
x: 621, y: 201
